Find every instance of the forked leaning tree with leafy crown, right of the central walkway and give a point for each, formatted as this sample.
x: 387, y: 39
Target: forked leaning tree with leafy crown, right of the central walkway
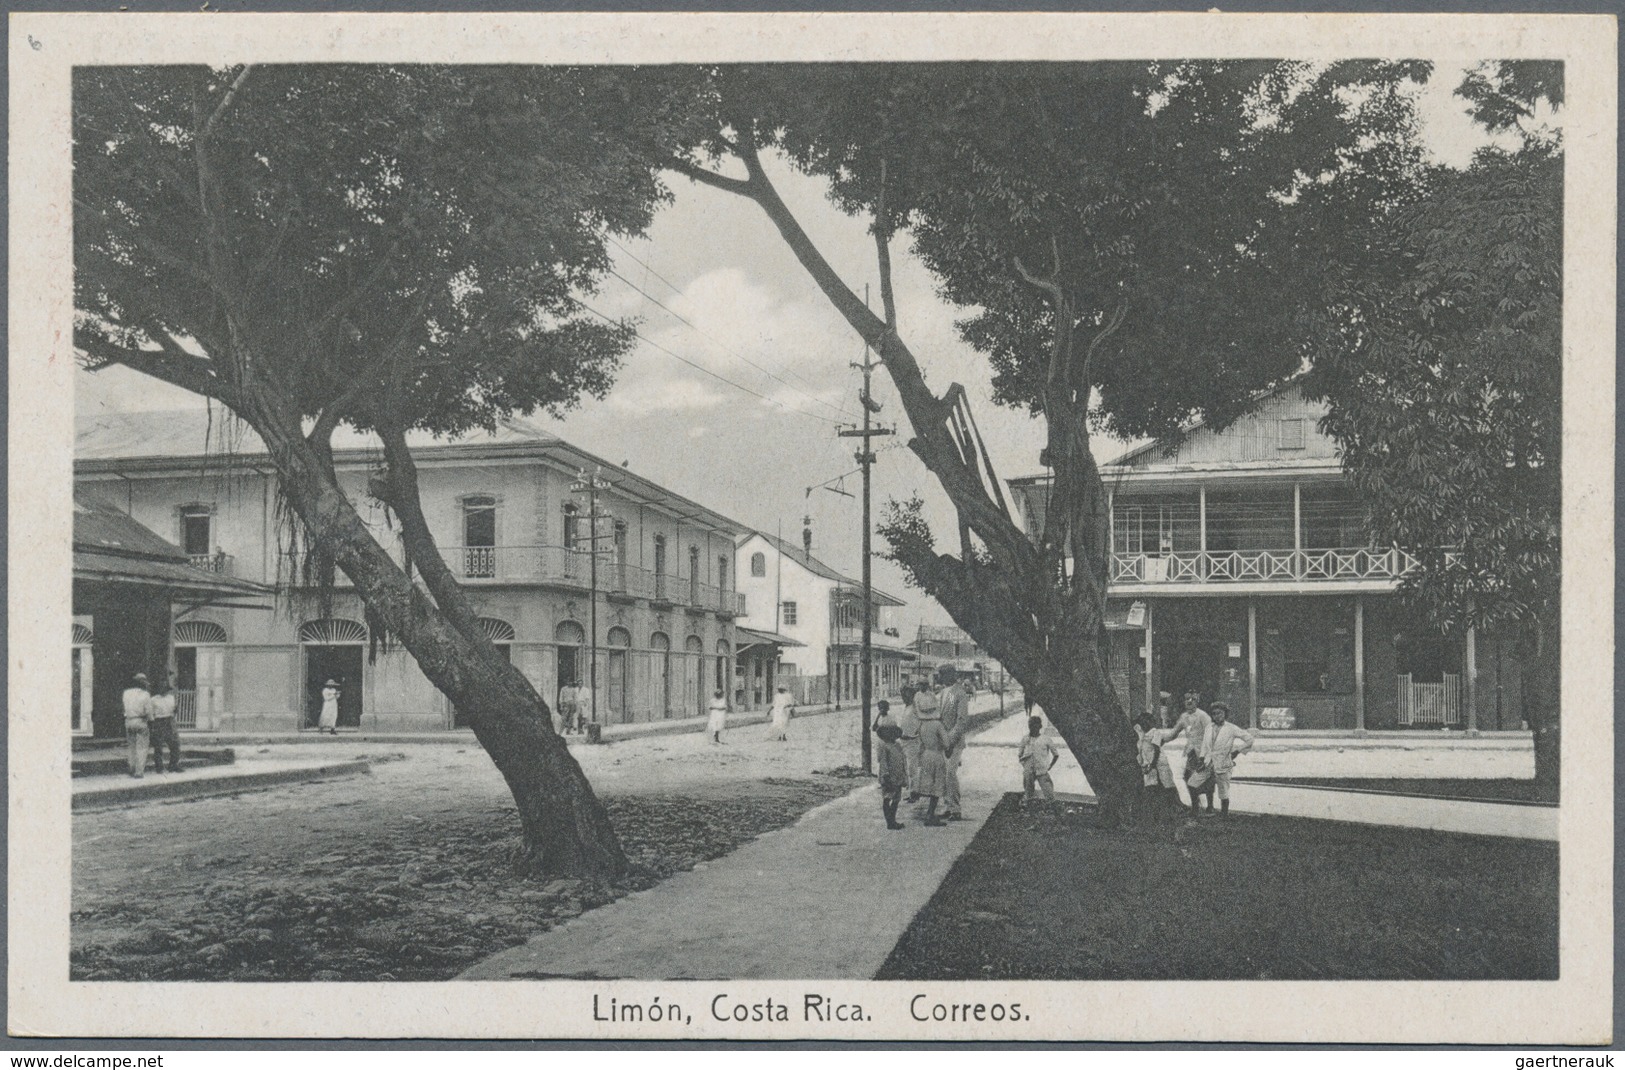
x: 1127, y: 238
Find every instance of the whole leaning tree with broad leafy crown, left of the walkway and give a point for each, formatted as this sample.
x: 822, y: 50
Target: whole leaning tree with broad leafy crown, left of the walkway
x: 389, y: 248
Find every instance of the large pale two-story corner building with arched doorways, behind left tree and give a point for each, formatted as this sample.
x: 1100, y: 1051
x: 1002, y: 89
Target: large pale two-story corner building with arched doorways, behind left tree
x: 644, y: 591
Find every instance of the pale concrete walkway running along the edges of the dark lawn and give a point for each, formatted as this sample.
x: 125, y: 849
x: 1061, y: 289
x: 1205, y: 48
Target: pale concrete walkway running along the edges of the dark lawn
x: 830, y: 897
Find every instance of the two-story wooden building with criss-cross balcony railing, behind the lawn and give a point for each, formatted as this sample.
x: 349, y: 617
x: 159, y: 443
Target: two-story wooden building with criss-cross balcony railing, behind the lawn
x: 1242, y: 568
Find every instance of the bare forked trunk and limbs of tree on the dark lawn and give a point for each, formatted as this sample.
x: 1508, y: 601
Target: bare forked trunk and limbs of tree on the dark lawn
x: 1008, y: 594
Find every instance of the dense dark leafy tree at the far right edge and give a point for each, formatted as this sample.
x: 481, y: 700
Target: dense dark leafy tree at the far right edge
x: 1455, y: 311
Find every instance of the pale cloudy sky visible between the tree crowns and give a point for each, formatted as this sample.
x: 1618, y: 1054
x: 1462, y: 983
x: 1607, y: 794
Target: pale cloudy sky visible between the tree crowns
x: 713, y: 284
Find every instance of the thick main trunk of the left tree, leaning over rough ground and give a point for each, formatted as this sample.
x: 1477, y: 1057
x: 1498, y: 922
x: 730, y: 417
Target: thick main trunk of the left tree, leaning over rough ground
x: 565, y: 825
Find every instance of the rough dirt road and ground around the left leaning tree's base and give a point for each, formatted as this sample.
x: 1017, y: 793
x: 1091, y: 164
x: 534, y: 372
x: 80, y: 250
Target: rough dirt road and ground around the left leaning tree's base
x: 404, y: 874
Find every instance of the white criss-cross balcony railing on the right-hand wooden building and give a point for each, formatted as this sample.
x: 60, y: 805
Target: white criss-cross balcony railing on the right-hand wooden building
x: 1242, y: 567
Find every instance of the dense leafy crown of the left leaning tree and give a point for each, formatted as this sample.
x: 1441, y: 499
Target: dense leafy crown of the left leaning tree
x: 358, y: 238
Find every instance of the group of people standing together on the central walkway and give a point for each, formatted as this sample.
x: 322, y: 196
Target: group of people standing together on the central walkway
x: 921, y: 750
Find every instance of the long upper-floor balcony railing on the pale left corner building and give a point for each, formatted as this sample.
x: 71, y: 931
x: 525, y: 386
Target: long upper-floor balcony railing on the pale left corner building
x: 563, y: 567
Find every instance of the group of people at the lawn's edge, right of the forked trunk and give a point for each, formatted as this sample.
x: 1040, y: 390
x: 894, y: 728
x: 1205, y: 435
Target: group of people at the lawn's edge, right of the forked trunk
x: 1211, y: 747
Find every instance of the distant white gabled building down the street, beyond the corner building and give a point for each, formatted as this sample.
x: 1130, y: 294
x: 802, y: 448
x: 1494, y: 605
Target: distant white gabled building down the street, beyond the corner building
x: 792, y: 594
